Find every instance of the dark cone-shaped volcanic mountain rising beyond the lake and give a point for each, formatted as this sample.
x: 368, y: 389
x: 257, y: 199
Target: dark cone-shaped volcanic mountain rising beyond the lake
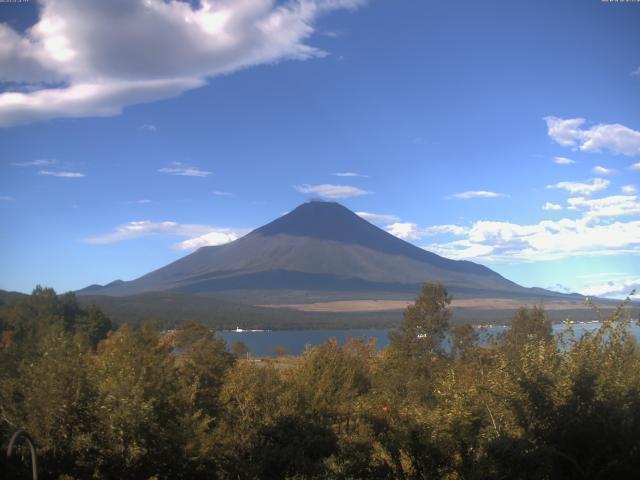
x: 319, y: 246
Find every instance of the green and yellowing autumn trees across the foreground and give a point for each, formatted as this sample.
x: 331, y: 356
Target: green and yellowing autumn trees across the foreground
x: 139, y: 403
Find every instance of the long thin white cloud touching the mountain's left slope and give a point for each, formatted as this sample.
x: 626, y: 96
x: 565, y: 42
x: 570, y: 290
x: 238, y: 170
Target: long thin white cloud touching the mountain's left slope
x: 199, y: 235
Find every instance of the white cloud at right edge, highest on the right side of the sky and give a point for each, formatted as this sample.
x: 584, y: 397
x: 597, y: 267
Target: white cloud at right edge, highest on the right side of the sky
x: 614, y: 138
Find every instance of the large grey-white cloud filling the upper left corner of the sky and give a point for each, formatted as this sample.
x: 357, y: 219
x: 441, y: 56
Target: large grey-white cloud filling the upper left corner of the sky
x: 96, y: 53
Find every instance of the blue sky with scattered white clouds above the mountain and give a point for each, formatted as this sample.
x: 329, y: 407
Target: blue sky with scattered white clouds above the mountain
x: 507, y: 133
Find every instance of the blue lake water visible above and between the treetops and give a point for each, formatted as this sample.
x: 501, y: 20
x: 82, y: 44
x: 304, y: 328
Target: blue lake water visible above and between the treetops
x: 262, y: 344
